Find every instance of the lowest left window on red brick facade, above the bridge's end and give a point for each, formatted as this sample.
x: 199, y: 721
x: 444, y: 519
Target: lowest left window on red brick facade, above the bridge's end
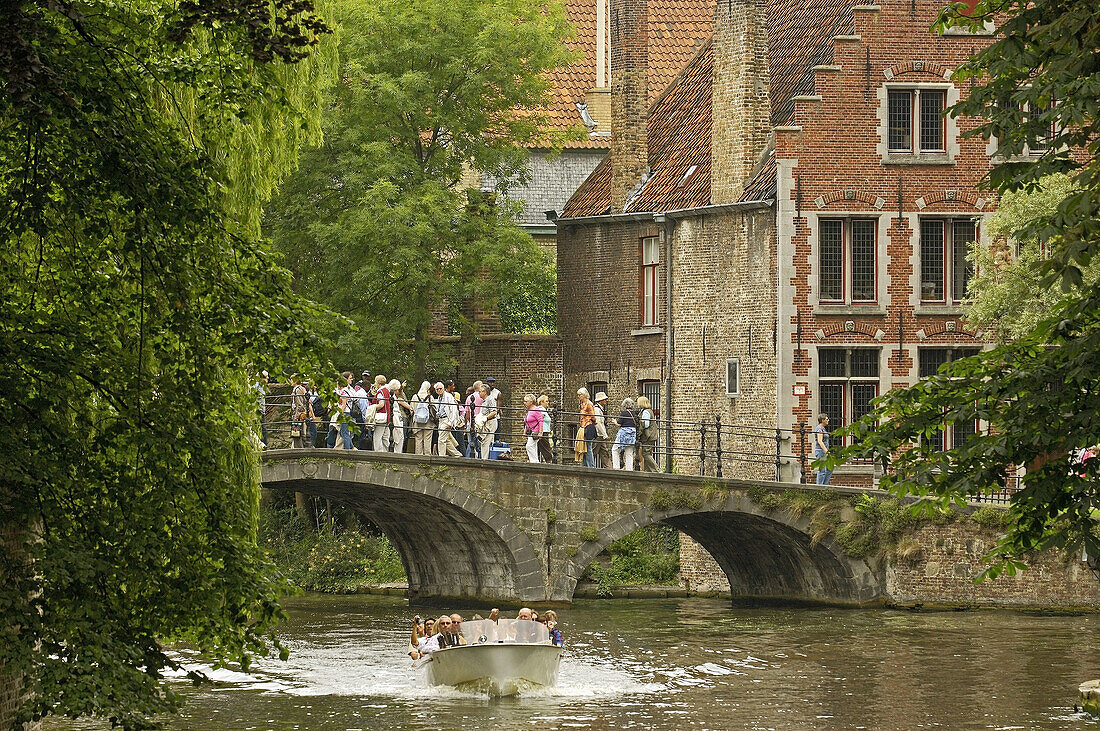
x: 849, y: 382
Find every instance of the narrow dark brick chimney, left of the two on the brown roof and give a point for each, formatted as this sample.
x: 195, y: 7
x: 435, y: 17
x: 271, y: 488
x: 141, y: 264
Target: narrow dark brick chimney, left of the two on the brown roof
x: 630, y: 157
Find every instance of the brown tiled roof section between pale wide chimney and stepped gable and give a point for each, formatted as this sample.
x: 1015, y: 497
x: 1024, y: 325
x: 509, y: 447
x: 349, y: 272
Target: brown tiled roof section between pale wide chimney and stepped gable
x: 800, y: 37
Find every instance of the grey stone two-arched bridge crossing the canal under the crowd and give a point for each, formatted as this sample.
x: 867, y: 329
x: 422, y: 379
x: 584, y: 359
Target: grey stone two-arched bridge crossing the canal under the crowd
x: 514, y: 533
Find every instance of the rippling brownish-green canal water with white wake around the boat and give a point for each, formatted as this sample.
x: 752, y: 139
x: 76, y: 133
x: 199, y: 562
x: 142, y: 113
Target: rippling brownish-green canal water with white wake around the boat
x: 678, y: 664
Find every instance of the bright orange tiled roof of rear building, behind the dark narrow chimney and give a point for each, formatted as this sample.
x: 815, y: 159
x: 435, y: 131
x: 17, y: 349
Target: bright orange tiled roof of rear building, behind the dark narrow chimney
x: 678, y: 29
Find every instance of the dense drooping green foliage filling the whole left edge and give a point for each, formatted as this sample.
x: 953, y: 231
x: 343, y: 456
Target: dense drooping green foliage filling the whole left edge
x: 138, y: 142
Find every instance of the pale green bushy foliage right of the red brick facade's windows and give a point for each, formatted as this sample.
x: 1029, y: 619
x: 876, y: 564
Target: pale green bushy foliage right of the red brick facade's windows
x: 1007, y: 294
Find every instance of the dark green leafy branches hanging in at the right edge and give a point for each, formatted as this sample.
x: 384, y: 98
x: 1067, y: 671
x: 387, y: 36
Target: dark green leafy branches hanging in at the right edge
x: 1037, y: 85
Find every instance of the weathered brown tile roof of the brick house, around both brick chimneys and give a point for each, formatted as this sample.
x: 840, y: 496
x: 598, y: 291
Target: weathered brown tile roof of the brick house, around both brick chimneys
x: 679, y: 129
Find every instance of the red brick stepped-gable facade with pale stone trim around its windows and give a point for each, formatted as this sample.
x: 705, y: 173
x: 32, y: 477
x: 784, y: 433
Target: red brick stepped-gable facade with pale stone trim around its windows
x: 833, y: 163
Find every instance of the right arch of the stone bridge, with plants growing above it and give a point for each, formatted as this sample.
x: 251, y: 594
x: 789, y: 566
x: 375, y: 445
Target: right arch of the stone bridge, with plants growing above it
x: 766, y: 557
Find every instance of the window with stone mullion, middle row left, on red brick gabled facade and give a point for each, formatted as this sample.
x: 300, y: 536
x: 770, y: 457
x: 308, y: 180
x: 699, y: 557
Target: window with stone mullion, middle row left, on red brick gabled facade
x: 849, y: 253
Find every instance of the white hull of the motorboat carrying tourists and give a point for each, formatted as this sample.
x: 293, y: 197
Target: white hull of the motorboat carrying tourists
x: 500, y: 670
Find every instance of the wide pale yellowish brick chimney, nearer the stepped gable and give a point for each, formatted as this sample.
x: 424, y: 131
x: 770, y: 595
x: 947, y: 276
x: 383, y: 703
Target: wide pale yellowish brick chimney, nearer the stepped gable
x: 741, y: 118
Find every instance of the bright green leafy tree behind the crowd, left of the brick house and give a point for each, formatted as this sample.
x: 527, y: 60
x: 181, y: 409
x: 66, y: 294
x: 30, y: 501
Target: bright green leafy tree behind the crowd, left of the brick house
x: 377, y: 225
